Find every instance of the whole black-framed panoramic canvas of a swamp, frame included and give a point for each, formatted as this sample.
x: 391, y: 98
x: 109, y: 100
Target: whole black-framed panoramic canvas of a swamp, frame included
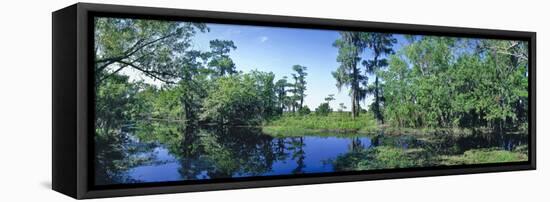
x: 155, y: 100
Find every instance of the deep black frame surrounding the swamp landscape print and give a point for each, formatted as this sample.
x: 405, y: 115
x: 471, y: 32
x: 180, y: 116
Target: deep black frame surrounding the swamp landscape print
x: 73, y: 100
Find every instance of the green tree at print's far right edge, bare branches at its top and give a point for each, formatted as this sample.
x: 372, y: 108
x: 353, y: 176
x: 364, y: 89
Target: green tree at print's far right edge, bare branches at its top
x: 507, y: 62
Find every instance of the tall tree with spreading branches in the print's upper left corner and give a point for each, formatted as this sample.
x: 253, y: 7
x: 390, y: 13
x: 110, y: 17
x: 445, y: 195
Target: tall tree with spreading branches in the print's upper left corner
x: 156, y: 50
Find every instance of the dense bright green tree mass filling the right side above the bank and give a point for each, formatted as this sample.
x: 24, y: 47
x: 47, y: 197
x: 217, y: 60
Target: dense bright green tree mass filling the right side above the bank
x: 443, y: 82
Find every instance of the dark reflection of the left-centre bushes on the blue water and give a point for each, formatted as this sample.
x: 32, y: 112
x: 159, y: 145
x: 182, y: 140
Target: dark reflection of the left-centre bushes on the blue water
x: 215, y: 152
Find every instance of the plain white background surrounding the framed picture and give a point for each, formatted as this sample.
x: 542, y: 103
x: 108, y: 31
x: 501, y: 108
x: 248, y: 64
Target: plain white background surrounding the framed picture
x: 25, y: 102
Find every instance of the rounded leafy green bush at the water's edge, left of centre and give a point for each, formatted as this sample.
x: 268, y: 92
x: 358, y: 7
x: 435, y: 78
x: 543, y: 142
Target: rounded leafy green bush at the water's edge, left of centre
x: 240, y: 99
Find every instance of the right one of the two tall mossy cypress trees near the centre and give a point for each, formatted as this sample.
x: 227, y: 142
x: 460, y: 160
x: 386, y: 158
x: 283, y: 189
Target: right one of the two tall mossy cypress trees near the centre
x: 380, y: 45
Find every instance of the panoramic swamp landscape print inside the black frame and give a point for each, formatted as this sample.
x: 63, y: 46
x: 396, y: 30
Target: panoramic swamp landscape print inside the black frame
x: 187, y: 101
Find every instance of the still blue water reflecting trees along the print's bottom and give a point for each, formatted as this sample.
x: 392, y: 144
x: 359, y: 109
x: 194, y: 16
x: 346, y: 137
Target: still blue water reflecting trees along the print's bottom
x: 165, y: 153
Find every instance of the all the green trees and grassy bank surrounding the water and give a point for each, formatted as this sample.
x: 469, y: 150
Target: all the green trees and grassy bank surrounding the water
x: 418, y: 85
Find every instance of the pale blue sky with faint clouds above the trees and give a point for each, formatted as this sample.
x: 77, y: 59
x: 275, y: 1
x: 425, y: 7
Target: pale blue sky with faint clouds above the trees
x: 274, y: 49
